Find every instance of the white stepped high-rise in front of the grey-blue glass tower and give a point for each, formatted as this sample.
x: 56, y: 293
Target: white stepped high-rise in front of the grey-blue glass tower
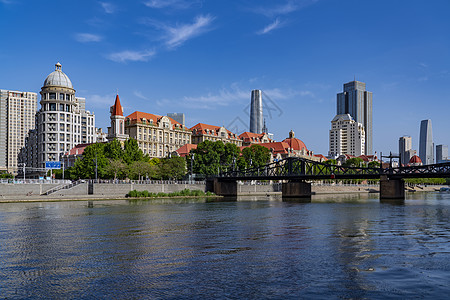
x: 346, y: 137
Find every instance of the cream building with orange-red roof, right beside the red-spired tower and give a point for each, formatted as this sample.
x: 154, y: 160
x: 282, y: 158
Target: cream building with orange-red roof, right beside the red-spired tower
x: 157, y: 136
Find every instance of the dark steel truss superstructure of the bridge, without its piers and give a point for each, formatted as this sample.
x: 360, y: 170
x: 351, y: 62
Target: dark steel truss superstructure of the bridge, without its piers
x: 296, y: 168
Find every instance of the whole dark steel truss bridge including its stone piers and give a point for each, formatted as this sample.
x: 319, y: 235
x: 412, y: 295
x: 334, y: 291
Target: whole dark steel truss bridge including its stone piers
x: 297, y: 173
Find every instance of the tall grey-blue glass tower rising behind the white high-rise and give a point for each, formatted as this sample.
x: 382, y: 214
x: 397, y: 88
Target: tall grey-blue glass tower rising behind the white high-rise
x: 357, y: 102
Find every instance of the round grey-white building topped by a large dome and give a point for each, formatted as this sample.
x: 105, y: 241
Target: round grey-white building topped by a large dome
x: 61, y: 123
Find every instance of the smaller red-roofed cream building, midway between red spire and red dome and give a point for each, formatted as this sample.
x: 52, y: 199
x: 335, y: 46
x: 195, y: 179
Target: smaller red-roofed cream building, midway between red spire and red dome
x: 202, y: 132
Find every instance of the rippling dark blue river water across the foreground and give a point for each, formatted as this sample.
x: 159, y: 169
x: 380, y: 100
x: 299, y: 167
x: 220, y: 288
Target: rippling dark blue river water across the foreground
x: 340, y: 247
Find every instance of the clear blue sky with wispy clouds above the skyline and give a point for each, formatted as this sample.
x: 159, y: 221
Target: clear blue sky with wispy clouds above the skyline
x: 203, y: 58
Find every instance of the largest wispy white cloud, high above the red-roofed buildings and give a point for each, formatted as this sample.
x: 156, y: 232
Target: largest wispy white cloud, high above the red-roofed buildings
x: 179, y: 34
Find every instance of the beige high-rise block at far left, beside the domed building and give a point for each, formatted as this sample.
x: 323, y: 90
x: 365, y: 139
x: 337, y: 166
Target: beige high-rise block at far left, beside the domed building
x: 17, y: 110
